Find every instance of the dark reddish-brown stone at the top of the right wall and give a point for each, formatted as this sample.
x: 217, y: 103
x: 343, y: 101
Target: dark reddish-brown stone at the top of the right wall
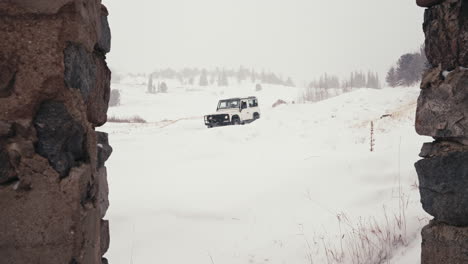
x: 446, y: 29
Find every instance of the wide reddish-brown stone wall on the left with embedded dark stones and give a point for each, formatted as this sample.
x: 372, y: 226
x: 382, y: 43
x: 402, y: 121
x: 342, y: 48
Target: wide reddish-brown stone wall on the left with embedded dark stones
x: 54, y: 92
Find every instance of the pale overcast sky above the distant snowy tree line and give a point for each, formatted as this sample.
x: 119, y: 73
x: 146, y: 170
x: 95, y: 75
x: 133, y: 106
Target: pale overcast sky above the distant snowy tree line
x: 301, y: 38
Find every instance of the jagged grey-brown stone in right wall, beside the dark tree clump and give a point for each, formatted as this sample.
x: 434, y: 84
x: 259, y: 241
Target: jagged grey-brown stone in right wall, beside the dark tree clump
x: 442, y: 110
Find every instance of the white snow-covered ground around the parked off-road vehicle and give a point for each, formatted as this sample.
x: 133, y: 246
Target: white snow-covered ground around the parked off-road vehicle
x: 294, y: 187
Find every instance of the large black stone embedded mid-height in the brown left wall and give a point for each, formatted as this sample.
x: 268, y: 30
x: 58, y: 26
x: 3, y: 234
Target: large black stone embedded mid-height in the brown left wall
x: 61, y: 139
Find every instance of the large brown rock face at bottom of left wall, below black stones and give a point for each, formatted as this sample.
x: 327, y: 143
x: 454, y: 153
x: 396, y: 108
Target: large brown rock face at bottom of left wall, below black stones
x: 45, y: 222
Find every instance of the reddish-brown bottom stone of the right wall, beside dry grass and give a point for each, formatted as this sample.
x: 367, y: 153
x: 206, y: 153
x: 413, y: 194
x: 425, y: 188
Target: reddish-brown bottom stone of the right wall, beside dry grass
x: 444, y: 244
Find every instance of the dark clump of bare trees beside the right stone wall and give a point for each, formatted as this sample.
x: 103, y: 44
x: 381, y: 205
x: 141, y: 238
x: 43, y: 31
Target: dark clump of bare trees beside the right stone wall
x: 408, y: 69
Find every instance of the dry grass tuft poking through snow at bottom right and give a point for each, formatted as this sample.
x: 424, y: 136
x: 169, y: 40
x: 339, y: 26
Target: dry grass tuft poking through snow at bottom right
x: 368, y: 240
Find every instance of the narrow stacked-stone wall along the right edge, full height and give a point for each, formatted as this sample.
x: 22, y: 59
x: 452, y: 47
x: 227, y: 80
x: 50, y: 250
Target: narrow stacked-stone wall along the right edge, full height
x: 442, y: 113
